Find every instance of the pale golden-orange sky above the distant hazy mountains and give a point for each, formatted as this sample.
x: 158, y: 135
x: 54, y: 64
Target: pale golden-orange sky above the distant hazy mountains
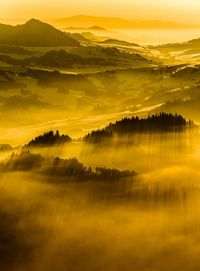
x: 173, y: 10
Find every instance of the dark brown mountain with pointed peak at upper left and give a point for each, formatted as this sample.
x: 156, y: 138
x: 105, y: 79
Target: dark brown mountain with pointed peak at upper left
x: 35, y: 33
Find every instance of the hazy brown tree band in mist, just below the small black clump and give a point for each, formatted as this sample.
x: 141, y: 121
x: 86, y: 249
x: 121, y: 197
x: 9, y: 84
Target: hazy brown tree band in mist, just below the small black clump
x: 26, y: 161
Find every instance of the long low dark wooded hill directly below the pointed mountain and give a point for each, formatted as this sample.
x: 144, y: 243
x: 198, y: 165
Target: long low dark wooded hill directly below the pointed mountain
x: 92, y: 55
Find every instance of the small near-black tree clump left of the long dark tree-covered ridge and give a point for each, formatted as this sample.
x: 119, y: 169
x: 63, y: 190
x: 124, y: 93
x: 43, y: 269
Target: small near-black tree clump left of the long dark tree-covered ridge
x: 49, y: 139
